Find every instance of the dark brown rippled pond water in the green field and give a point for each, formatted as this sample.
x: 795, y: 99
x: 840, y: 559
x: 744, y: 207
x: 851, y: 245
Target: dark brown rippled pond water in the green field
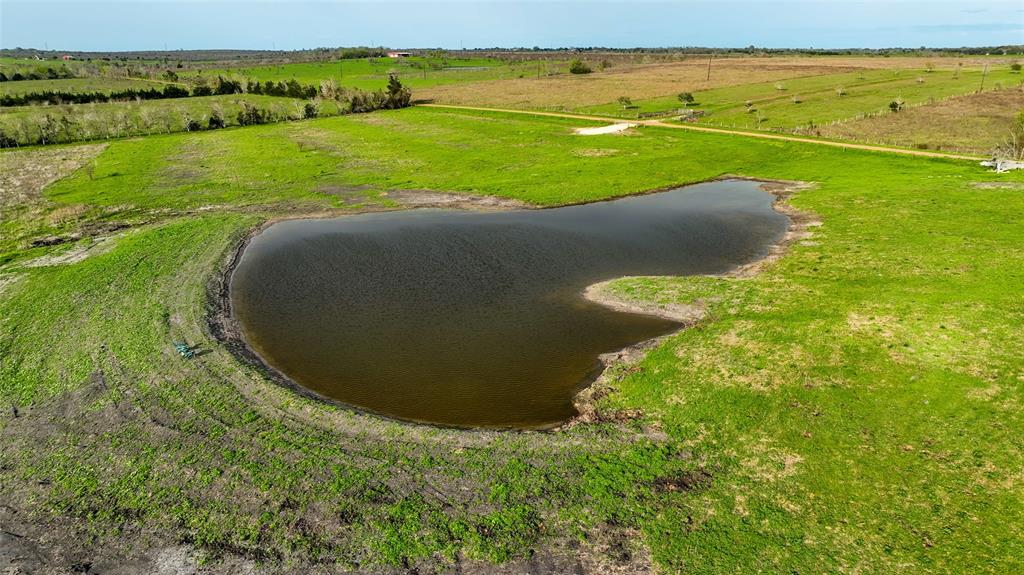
x: 467, y: 319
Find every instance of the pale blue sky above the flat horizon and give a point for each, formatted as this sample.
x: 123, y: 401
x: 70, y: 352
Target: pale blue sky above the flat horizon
x: 146, y: 25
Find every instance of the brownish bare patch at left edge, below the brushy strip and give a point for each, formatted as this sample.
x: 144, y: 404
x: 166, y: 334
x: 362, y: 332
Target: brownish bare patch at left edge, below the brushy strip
x: 24, y: 174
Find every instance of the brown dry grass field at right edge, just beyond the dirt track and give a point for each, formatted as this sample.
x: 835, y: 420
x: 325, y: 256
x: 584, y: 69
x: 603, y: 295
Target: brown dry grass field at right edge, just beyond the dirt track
x: 976, y: 123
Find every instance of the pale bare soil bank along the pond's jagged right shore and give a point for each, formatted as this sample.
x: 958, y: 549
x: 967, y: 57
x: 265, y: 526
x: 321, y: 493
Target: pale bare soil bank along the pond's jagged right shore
x: 620, y: 364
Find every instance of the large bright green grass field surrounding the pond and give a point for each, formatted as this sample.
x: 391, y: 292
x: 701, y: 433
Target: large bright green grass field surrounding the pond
x: 854, y: 409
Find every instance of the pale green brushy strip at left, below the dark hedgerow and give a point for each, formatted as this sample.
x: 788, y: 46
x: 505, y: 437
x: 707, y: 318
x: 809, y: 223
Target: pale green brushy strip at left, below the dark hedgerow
x: 101, y: 121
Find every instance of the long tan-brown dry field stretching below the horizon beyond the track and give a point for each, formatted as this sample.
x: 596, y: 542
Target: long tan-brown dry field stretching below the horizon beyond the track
x: 653, y: 80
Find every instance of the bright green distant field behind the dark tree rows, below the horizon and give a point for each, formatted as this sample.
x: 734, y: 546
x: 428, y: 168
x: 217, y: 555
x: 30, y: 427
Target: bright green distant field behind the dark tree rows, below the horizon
x: 372, y: 74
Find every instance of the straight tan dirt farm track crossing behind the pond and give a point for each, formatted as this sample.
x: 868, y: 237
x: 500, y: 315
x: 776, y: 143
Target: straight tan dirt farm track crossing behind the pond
x: 762, y: 136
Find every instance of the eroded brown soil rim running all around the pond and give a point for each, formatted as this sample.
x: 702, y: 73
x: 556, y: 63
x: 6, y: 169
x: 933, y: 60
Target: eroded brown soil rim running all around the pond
x: 224, y: 328
